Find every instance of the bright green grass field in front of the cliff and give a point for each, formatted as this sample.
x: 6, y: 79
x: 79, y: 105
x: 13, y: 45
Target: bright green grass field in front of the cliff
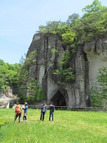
x: 68, y: 127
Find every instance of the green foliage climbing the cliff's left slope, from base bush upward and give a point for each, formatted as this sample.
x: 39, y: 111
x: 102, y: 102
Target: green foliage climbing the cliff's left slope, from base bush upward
x: 29, y: 84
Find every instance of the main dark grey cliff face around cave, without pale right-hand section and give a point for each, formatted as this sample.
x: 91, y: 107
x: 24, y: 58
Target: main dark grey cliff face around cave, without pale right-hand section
x: 49, y: 55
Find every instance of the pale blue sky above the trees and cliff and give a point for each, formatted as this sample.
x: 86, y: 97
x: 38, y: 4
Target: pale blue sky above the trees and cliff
x: 20, y: 20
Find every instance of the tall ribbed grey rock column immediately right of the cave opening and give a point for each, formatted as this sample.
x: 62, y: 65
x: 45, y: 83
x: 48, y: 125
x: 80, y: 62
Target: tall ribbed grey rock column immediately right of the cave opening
x: 79, y: 90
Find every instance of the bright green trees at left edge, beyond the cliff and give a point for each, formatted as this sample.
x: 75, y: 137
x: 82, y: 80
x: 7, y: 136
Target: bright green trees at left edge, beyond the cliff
x: 9, y: 75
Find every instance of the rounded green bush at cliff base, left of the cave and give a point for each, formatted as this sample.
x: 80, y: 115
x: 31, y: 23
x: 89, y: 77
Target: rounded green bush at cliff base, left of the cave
x: 34, y: 92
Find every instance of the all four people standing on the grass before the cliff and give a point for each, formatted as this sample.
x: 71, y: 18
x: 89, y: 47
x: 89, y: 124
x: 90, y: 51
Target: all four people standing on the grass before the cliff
x: 18, y: 111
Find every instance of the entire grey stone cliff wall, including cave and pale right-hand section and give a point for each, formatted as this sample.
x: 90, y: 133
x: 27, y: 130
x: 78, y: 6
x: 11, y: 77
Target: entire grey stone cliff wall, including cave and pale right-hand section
x: 85, y: 62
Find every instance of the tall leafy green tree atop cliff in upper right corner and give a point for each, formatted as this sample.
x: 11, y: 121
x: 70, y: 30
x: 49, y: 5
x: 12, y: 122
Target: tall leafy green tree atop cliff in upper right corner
x: 94, y: 20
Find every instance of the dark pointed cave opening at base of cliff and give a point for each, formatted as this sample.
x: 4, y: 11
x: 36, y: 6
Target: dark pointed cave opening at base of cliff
x: 58, y: 99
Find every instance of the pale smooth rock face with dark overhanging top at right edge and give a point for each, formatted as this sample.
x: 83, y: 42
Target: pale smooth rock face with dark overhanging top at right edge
x: 97, y: 56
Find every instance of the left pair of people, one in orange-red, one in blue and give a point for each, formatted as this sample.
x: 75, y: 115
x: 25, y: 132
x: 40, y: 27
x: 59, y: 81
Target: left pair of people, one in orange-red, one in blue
x: 18, y: 111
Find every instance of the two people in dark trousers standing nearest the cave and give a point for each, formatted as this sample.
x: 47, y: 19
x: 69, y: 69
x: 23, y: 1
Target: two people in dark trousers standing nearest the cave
x: 44, y: 109
